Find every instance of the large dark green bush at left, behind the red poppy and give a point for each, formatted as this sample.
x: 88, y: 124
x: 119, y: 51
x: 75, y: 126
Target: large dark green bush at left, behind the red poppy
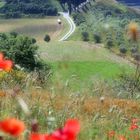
x: 21, y: 50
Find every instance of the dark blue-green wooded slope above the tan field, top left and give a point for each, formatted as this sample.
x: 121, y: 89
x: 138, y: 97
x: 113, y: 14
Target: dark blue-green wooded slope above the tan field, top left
x: 18, y: 8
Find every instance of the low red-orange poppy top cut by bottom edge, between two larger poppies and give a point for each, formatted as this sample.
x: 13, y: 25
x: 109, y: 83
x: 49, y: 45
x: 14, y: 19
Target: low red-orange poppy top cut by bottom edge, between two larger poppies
x: 35, y: 136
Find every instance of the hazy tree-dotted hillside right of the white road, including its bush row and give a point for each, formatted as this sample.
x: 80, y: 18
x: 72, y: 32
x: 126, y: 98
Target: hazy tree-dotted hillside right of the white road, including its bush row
x: 106, y: 22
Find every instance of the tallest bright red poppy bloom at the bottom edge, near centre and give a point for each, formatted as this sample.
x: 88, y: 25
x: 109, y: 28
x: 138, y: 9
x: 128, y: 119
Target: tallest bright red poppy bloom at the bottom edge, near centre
x: 69, y: 132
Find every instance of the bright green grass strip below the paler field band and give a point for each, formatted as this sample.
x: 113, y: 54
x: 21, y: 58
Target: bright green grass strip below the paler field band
x: 87, y: 70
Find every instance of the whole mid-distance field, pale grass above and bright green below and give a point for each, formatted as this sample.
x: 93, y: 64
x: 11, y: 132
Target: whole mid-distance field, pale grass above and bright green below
x: 85, y: 61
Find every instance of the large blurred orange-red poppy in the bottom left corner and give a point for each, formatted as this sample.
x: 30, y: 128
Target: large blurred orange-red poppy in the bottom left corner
x: 12, y: 126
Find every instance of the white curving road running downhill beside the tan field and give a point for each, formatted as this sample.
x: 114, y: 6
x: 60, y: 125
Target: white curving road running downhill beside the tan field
x: 72, y: 26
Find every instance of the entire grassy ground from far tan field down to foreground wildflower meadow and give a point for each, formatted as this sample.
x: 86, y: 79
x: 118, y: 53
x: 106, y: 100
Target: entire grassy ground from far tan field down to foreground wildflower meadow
x: 85, y: 84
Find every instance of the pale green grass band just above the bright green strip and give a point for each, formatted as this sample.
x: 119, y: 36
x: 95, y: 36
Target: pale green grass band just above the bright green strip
x: 77, y: 51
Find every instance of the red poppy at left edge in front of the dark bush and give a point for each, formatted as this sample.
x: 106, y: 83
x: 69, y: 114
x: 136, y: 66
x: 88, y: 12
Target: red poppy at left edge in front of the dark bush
x: 5, y: 64
